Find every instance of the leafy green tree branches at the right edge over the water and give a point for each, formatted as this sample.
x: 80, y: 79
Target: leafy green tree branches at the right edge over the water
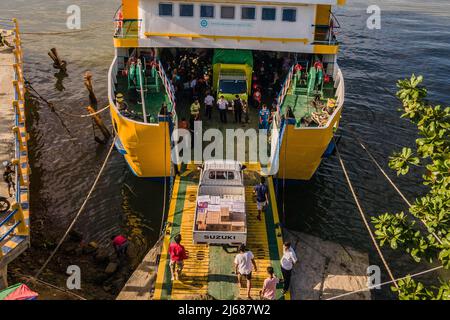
x: 431, y: 155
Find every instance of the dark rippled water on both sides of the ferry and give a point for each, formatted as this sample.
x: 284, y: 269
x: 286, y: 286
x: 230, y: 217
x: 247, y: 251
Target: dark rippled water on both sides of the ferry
x: 414, y: 38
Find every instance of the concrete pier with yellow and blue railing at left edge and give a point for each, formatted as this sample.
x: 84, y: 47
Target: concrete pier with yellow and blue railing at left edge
x: 15, y: 223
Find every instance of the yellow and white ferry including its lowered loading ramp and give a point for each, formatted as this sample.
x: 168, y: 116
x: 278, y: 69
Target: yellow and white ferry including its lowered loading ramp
x: 282, y: 53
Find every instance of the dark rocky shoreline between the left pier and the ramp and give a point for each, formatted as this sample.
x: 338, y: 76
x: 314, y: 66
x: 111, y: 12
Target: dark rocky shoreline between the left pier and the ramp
x: 102, y: 277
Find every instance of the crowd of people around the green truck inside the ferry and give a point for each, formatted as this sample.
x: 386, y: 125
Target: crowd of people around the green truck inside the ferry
x: 190, y: 72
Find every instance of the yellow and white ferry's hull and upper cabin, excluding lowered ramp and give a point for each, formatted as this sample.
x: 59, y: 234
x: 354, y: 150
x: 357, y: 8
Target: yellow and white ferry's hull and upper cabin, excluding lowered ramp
x: 152, y: 37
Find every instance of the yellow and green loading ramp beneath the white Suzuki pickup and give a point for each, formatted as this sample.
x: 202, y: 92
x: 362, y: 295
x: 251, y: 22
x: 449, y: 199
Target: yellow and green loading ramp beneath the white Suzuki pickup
x: 208, y: 270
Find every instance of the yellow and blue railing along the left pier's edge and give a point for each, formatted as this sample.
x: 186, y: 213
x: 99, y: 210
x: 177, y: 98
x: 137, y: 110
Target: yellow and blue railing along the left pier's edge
x: 16, y: 214
